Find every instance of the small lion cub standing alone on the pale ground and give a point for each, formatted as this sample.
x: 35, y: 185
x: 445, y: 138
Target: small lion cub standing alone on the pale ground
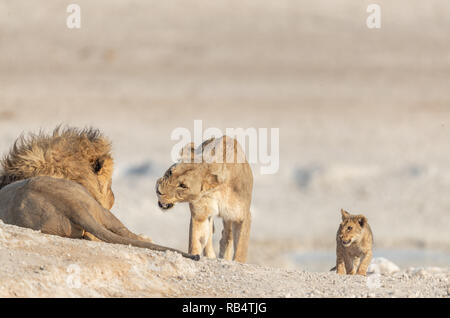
x: 354, y: 244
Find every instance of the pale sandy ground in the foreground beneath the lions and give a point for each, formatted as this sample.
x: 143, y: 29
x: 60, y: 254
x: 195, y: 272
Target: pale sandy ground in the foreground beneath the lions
x: 50, y: 266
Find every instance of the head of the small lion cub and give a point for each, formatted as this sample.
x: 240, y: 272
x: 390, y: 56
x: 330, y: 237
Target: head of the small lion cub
x: 351, y: 228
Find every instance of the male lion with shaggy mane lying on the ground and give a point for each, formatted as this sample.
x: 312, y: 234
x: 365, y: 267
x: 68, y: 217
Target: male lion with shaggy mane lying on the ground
x: 60, y: 184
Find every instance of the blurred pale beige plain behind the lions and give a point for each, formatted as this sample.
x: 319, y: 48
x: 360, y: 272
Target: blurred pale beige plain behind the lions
x: 364, y: 114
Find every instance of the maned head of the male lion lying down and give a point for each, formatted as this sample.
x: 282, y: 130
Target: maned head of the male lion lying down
x: 83, y: 156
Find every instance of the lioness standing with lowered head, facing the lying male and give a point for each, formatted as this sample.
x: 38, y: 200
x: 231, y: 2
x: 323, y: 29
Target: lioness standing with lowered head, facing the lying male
x: 215, y: 179
